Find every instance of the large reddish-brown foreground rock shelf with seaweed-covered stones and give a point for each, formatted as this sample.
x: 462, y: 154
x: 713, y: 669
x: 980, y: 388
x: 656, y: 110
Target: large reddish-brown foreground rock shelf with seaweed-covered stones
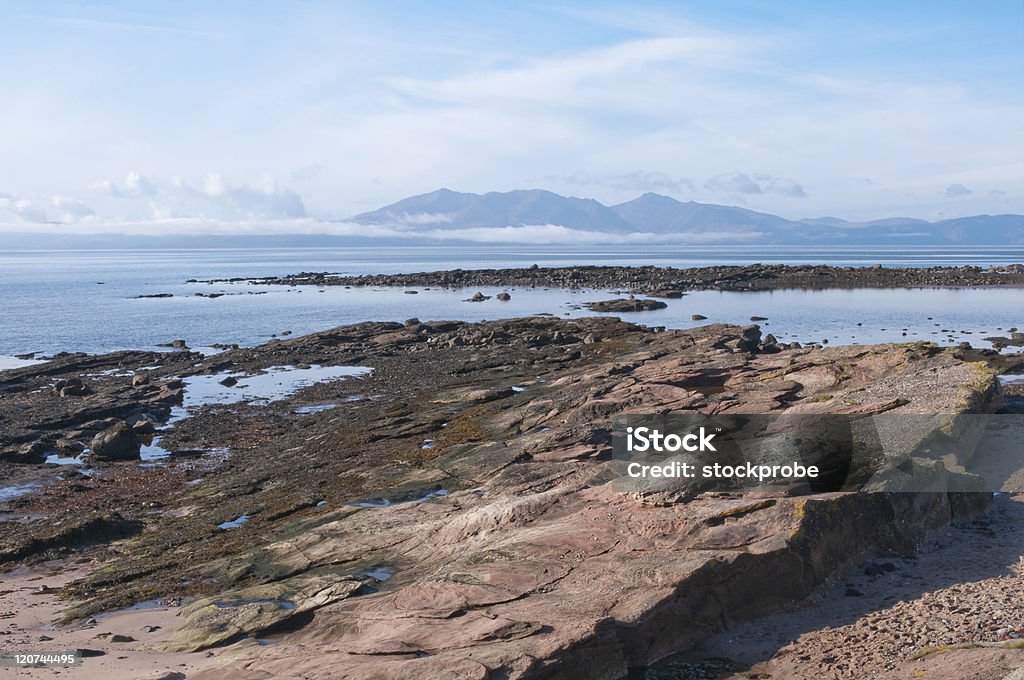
x: 451, y: 514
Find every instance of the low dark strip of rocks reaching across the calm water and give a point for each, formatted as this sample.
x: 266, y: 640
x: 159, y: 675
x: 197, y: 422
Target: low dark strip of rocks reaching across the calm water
x: 670, y: 282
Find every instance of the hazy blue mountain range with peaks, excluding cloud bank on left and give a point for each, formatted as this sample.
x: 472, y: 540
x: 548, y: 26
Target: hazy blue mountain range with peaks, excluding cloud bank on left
x: 677, y: 221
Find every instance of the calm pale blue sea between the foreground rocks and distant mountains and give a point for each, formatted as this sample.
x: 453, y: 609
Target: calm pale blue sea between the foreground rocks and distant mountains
x: 88, y: 302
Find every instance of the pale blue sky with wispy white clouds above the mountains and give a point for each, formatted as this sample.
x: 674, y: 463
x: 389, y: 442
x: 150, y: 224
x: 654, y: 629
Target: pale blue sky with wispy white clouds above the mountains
x: 282, y: 116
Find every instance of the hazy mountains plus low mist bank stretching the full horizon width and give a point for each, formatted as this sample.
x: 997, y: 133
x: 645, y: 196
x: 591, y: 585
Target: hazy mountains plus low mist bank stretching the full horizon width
x: 542, y: 218
